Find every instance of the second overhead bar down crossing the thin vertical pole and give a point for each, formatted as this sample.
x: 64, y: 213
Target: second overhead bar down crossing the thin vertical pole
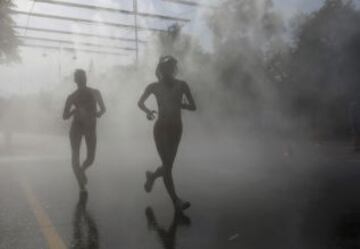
x: 87, y: 21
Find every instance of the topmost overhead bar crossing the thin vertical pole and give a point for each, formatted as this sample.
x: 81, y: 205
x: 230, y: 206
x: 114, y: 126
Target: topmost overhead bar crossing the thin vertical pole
x: 115, y: 10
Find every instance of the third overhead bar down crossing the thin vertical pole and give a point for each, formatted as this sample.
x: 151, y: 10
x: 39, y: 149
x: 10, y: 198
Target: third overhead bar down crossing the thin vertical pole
x: 78, y: 33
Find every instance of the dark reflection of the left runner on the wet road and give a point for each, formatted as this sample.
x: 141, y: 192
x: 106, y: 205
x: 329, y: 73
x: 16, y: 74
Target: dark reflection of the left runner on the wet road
x: 86, y: 235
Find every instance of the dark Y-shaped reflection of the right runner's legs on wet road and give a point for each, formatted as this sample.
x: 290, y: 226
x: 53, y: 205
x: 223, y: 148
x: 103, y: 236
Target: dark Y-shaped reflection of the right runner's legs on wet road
x: 167, y: 236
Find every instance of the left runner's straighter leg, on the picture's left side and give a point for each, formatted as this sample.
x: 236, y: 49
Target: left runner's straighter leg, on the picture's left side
x: 75, y: 141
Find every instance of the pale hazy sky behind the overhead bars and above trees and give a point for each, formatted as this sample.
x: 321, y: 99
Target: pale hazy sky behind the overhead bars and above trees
x: 42, y: 69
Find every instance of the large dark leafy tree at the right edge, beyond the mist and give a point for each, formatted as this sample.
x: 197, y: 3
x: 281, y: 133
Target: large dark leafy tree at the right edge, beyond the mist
x: 322, y: 75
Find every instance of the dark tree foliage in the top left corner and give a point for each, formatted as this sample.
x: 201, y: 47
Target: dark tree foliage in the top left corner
x: 8, y: 39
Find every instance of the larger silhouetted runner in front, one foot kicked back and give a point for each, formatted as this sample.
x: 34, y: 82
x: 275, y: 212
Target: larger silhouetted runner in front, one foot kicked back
x: 169, y: 93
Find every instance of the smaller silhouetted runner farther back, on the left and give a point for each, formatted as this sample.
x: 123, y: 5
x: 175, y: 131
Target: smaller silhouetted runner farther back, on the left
x: 82, y: 105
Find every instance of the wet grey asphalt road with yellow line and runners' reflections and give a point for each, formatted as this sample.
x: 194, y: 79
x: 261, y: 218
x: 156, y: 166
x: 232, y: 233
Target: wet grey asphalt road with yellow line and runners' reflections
x: 247, y: 194
